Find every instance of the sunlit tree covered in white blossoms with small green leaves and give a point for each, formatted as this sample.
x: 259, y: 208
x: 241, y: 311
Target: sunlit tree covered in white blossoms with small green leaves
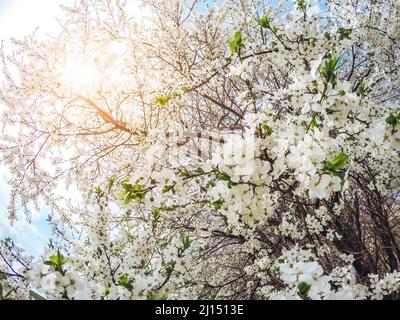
x: 235, y: 150
